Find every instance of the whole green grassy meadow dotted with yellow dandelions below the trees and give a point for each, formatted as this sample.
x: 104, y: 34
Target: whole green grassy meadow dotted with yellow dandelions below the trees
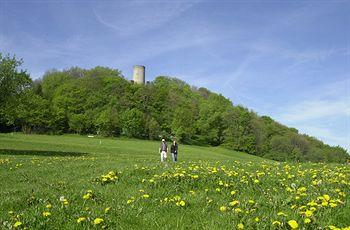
x: 36, y: 170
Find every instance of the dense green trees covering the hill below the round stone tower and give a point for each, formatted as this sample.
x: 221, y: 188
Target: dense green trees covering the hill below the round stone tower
x: 101, y: 101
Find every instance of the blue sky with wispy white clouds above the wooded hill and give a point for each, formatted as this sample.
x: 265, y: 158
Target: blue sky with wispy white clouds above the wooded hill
x: 286, y: 59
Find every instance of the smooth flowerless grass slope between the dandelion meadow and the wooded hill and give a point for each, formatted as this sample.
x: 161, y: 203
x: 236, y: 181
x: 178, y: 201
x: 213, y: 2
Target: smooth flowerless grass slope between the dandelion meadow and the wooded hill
x: 24, y: 146
